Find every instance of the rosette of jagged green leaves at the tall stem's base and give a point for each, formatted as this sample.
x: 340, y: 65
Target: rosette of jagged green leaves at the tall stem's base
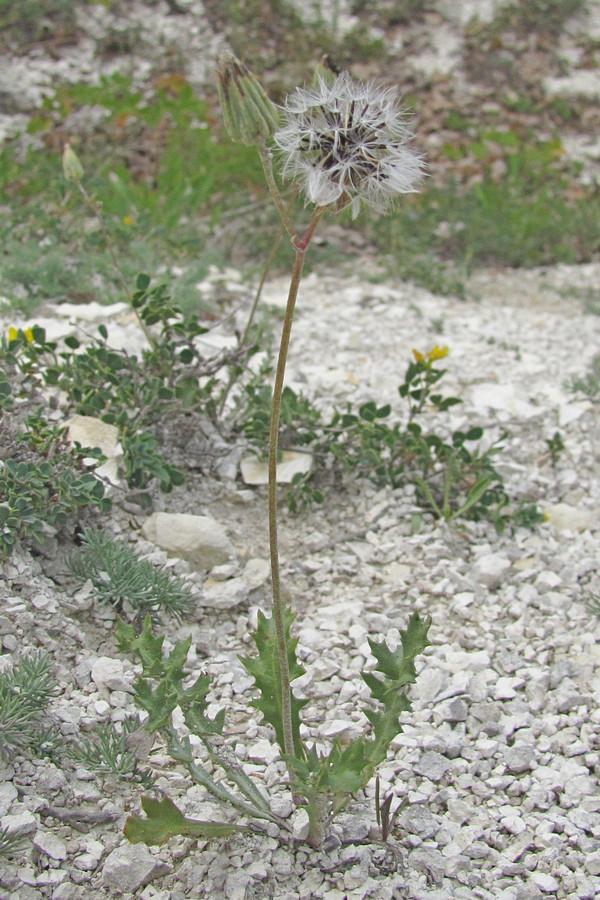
x: 322, y: 783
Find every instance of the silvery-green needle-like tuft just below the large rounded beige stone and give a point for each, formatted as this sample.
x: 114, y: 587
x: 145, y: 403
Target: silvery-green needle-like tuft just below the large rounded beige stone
x: 120, y: 576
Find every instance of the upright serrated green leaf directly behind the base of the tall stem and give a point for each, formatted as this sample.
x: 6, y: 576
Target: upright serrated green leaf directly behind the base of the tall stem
x: 266, y: 673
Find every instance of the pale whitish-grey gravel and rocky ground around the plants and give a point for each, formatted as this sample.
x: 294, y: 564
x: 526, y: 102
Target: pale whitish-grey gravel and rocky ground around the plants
x: 500, y: 759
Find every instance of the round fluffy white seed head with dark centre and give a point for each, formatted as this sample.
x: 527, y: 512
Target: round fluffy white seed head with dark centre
x: 347, y: 143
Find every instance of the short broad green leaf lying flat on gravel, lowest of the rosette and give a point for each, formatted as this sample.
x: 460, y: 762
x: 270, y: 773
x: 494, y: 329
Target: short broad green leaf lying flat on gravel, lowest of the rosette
x: 164, y: 820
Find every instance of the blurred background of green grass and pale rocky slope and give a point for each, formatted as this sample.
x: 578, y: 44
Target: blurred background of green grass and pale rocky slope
x: 505, y: 103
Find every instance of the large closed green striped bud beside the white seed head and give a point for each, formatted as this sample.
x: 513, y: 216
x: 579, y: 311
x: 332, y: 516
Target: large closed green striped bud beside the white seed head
x: 250, y: 117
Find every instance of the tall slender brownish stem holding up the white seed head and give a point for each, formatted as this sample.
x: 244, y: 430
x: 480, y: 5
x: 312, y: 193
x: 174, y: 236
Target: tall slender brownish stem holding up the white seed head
x: 300, y: 246
